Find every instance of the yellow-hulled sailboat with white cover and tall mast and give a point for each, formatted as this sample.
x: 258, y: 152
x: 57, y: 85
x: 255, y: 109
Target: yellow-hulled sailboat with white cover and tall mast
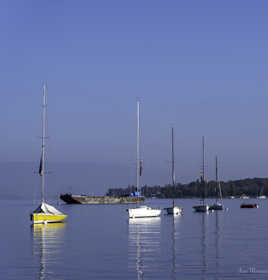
x: 45, y: 213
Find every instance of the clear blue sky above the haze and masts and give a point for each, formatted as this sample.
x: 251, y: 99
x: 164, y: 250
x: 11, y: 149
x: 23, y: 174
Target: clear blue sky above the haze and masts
x: 200, y: 66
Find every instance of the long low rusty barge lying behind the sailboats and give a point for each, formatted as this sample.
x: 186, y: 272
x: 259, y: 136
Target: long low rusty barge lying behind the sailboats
x: 86, y: 199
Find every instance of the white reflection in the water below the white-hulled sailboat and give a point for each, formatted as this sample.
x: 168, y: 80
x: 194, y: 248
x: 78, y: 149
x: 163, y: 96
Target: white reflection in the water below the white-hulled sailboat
x: 144, y: 246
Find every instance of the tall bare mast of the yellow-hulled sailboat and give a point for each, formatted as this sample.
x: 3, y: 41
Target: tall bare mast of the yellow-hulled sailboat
x: 43, y: 142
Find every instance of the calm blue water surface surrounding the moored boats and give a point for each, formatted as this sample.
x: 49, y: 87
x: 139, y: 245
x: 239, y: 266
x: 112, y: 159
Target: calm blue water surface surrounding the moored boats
x: 99, y: 242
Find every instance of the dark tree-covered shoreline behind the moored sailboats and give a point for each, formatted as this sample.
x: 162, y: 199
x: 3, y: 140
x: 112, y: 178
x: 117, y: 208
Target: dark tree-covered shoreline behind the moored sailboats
x: 250, y: 187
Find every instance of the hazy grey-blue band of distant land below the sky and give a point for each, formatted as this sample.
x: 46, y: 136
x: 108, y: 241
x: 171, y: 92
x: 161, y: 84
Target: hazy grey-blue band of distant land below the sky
x: 21, y: 180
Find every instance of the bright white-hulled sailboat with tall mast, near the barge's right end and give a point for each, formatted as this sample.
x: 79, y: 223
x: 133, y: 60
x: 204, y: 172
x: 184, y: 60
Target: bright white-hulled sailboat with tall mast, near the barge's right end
x: 141, y: 211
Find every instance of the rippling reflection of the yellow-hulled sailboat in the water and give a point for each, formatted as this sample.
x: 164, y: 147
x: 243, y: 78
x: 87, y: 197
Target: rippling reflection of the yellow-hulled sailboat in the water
x: 48, y: 241
